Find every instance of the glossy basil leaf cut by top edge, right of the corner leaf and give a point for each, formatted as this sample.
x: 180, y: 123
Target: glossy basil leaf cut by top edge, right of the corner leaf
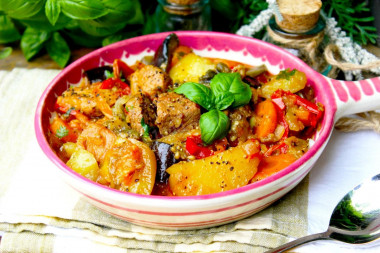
x: 83, y: 9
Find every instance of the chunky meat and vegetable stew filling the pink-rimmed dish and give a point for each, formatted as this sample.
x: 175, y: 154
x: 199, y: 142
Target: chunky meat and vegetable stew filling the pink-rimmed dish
x: 179, y: 124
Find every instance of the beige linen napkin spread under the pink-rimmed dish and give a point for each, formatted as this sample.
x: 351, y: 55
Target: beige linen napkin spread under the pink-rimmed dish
x: 40, y: 213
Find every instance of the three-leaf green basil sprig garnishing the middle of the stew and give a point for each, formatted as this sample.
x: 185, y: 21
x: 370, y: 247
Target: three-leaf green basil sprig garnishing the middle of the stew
x: 227, y: 90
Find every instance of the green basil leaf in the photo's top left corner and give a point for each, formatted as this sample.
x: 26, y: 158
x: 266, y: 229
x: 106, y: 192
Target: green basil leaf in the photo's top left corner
x: 21, y: 9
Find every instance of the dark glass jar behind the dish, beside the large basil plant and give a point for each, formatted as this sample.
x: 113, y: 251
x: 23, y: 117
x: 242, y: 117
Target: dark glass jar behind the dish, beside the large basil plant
x: 170, y: 16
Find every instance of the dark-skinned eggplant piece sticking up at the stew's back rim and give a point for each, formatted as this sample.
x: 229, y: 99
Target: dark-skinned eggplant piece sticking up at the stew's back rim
x: 164, y: 53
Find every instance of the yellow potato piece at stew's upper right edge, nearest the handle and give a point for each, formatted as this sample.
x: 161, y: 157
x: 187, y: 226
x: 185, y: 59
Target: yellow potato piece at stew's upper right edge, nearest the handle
x: 287, y: 80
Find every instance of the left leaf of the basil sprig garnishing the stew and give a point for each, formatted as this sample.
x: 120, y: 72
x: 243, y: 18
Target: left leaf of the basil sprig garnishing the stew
x: 197, y: 93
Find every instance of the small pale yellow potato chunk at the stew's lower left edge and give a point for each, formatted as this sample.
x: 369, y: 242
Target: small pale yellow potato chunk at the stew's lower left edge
x: 84, y: 163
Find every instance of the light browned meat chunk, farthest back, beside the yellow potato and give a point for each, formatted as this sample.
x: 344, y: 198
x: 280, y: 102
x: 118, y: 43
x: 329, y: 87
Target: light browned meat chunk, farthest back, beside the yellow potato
x: 150, y: 80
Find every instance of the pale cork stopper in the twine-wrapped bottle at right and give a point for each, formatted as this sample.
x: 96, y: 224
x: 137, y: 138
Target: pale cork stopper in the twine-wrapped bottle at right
x: 298, y: 15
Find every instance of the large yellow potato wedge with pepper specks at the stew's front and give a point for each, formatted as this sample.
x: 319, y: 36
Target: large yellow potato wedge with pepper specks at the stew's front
x: 224, y: 171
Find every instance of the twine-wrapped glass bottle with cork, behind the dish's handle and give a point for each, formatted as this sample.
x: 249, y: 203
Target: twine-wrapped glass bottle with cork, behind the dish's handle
x: 300, y: 30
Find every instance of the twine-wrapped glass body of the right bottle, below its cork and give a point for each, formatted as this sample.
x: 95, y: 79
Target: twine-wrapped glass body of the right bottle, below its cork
x: 308, y: 46
